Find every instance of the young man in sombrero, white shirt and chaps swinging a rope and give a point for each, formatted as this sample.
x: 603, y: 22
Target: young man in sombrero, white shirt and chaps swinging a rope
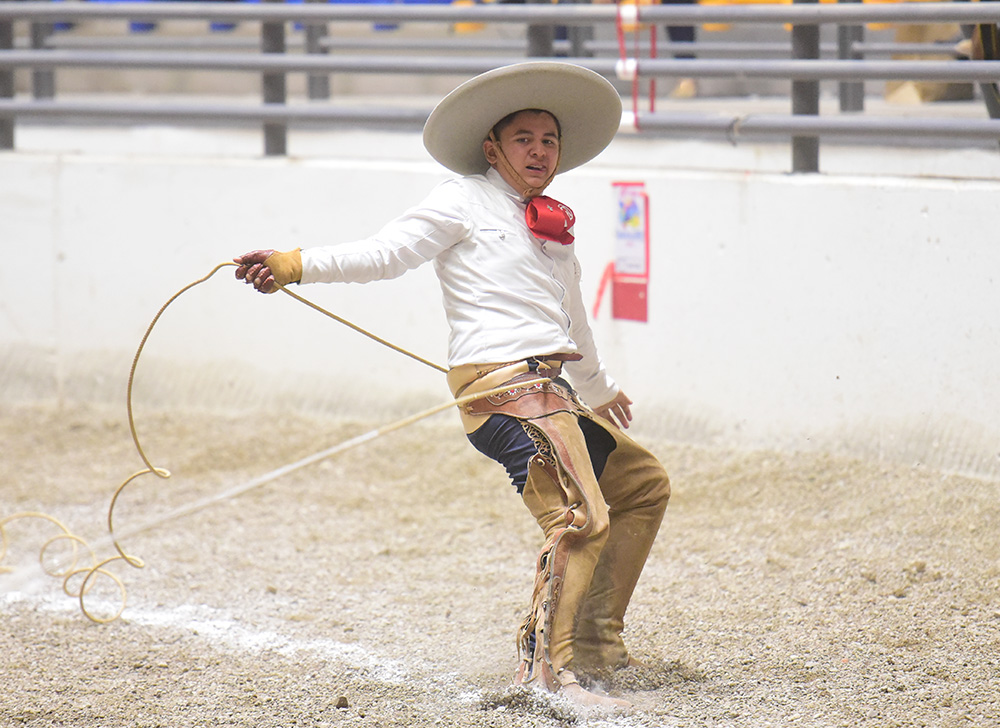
x: 504, y: 255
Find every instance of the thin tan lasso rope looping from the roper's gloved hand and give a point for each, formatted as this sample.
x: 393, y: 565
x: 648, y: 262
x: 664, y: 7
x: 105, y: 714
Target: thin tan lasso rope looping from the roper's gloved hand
x: 87, y: 574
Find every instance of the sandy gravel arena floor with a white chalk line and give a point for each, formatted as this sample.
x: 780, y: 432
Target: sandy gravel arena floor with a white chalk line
x: 382, y: 587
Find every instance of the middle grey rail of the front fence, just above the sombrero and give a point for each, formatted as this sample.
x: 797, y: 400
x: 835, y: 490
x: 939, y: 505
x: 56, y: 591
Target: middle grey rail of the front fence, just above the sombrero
x: 843, y: 70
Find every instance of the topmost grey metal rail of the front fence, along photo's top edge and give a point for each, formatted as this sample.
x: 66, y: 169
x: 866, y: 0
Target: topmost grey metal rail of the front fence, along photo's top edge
x: 555, y: 14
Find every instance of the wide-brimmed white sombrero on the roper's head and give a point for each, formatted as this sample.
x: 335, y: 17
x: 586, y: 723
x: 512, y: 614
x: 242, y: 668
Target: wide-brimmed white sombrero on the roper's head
x: 587, y: 106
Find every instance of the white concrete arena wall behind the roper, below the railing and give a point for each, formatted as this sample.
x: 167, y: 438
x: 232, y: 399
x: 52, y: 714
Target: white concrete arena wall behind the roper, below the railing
x: 856, y: 314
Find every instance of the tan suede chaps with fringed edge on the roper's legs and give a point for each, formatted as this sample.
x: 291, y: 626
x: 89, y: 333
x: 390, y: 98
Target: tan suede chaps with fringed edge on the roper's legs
x: 598, y: 533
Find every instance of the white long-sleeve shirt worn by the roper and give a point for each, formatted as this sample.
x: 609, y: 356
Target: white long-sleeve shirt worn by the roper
x: 507, y: 295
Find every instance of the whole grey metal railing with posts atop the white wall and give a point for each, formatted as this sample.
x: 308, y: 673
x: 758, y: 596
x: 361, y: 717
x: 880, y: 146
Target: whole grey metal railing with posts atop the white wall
x: 805, y: 69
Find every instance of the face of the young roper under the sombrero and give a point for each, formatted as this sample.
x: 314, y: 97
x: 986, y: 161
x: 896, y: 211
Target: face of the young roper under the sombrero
x: 530, y: 140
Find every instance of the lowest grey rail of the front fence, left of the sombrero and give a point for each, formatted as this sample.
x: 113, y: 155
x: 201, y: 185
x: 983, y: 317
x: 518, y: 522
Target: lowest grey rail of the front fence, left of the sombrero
x: 126, y: 112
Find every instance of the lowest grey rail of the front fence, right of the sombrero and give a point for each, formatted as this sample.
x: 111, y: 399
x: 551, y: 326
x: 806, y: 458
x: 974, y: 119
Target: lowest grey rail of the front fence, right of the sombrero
x: 771, y: 125
